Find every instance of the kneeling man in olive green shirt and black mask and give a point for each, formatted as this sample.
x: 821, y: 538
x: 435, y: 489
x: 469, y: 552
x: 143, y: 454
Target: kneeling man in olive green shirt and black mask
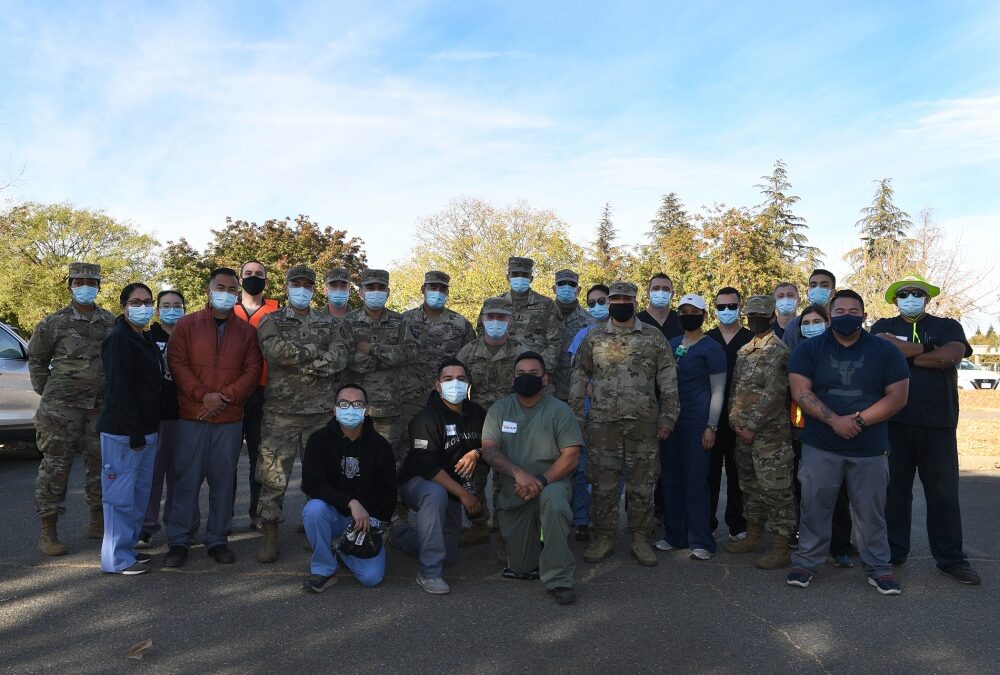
x: 533, y: 441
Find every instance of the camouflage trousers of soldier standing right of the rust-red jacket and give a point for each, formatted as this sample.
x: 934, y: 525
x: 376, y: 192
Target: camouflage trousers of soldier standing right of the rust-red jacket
x: 283, y: 436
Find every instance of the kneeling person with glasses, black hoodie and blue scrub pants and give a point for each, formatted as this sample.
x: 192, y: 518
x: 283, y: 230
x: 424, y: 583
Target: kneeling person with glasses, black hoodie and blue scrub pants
x: 349, y: 474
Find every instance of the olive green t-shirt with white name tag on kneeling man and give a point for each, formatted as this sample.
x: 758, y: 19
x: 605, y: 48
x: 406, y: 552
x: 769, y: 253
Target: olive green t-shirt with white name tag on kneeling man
x: 530, y: 437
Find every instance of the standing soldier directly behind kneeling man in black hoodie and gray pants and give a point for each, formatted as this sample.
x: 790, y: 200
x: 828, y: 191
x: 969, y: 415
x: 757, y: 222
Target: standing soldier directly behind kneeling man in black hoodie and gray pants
x: 441, y: 332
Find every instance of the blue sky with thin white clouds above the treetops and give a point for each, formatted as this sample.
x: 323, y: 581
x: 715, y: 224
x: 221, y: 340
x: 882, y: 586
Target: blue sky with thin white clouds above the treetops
x: 174, y: 116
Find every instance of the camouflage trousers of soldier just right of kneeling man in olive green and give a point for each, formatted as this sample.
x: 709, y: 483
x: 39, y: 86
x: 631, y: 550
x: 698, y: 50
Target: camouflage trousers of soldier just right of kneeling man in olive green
x: 629, y: 447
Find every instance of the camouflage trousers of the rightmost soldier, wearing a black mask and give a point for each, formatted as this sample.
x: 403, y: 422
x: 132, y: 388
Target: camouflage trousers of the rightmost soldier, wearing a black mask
x: 766, y: 470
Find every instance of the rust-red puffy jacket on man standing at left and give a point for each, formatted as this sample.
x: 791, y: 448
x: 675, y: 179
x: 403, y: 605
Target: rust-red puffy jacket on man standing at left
x: 200, y: 364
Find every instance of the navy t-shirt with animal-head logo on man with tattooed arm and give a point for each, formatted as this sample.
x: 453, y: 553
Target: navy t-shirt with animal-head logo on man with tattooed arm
x: 848, y: 380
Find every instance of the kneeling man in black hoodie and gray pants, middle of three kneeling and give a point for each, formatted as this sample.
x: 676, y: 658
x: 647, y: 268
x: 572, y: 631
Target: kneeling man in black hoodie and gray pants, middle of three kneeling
x: 435, y: 480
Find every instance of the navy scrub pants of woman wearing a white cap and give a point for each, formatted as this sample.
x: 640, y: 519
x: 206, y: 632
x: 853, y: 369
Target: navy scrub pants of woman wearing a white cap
x: 684, y: 481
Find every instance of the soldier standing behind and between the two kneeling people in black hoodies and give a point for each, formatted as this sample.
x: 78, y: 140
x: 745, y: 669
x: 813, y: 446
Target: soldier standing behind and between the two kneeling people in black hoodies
x: 384, y: 344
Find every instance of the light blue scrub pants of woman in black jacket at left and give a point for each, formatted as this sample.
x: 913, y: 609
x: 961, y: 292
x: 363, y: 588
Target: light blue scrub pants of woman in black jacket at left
x: 126, y: 478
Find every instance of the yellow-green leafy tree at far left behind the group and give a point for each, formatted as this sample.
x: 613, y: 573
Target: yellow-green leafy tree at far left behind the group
x: 37, y: 243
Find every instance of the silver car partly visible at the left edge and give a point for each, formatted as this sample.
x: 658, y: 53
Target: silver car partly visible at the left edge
x: 18, y: 401
